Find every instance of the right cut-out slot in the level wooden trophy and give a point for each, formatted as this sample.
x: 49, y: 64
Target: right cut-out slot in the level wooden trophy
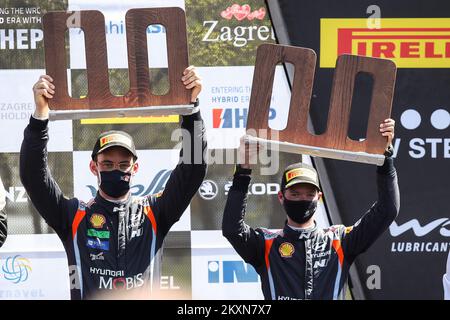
x: 158, y: 60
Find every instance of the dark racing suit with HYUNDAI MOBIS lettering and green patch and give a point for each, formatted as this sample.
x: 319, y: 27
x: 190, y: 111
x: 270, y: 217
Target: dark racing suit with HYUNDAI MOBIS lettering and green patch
x: 113, y: 246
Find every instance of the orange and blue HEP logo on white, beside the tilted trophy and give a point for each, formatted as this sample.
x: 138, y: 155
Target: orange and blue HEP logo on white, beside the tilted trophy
x: 227, y: 118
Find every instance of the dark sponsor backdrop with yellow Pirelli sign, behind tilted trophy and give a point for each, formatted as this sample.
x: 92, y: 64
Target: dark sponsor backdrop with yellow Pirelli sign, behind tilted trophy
x: 416, y: 35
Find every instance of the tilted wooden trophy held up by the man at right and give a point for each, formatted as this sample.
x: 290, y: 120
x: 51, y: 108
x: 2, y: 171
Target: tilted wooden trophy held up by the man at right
x: 334, y: 143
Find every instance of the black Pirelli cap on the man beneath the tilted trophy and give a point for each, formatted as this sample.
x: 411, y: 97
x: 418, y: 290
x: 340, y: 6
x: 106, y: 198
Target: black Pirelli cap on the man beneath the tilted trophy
x: 299, y: 173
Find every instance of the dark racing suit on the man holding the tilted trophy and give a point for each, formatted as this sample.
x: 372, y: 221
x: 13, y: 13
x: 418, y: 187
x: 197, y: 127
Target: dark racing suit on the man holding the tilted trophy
x: 311, y: 263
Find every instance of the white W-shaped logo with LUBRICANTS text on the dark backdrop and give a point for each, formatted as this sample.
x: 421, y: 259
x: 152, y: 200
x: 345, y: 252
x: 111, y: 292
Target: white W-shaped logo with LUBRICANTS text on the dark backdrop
x: 420, y: 231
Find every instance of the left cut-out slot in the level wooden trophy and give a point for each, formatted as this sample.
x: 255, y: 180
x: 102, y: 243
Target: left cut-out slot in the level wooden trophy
x: 77, y: 86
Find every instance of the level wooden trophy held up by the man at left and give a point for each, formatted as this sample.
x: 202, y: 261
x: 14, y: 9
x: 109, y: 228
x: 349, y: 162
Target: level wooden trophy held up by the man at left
x: 138, y: 100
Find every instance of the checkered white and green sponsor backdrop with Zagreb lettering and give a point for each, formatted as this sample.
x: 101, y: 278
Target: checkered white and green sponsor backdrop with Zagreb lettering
x: 198, y: 262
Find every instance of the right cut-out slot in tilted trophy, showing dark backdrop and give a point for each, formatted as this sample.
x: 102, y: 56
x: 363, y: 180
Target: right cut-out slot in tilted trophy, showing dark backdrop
x: 360, y: 107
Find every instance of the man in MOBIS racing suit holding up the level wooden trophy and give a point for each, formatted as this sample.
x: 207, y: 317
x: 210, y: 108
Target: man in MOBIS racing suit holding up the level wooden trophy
x: 113, y: 243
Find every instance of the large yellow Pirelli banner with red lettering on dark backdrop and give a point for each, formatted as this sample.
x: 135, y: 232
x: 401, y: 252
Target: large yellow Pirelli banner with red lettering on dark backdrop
x: 410, y: 43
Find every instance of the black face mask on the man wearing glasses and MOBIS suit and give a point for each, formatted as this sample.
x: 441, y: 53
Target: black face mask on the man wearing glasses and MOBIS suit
x: 115, y: 183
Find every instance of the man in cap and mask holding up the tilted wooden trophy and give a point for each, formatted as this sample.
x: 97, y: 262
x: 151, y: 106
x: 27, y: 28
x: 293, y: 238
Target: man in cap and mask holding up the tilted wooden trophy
x: 302, y: 261
